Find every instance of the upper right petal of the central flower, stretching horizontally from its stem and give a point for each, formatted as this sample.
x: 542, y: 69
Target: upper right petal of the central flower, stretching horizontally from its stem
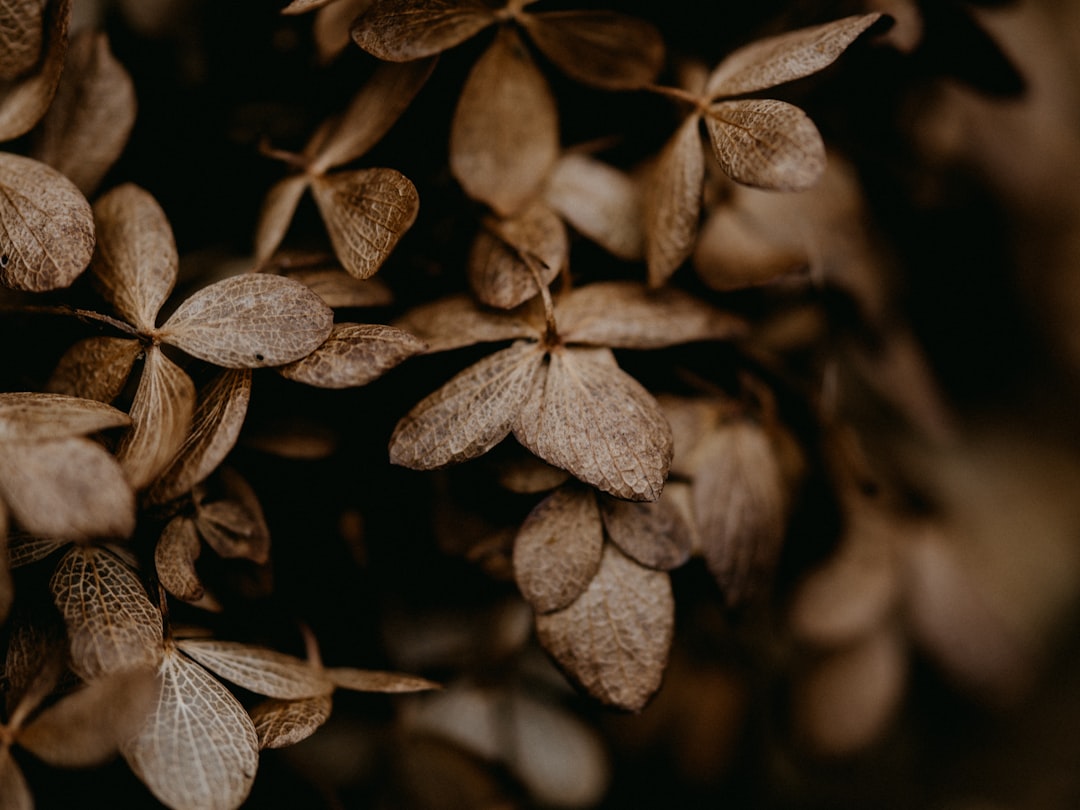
x: 625, y: 315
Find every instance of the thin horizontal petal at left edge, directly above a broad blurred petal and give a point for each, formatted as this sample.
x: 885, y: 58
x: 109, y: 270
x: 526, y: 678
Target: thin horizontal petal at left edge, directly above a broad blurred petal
x: 29, y: 416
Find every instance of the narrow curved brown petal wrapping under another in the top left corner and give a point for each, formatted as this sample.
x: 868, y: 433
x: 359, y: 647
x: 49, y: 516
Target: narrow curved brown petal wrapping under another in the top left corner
x: 24, y: 102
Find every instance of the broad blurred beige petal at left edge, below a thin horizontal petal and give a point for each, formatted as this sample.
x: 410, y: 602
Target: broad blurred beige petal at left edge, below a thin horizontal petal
x: 69, y: 489
